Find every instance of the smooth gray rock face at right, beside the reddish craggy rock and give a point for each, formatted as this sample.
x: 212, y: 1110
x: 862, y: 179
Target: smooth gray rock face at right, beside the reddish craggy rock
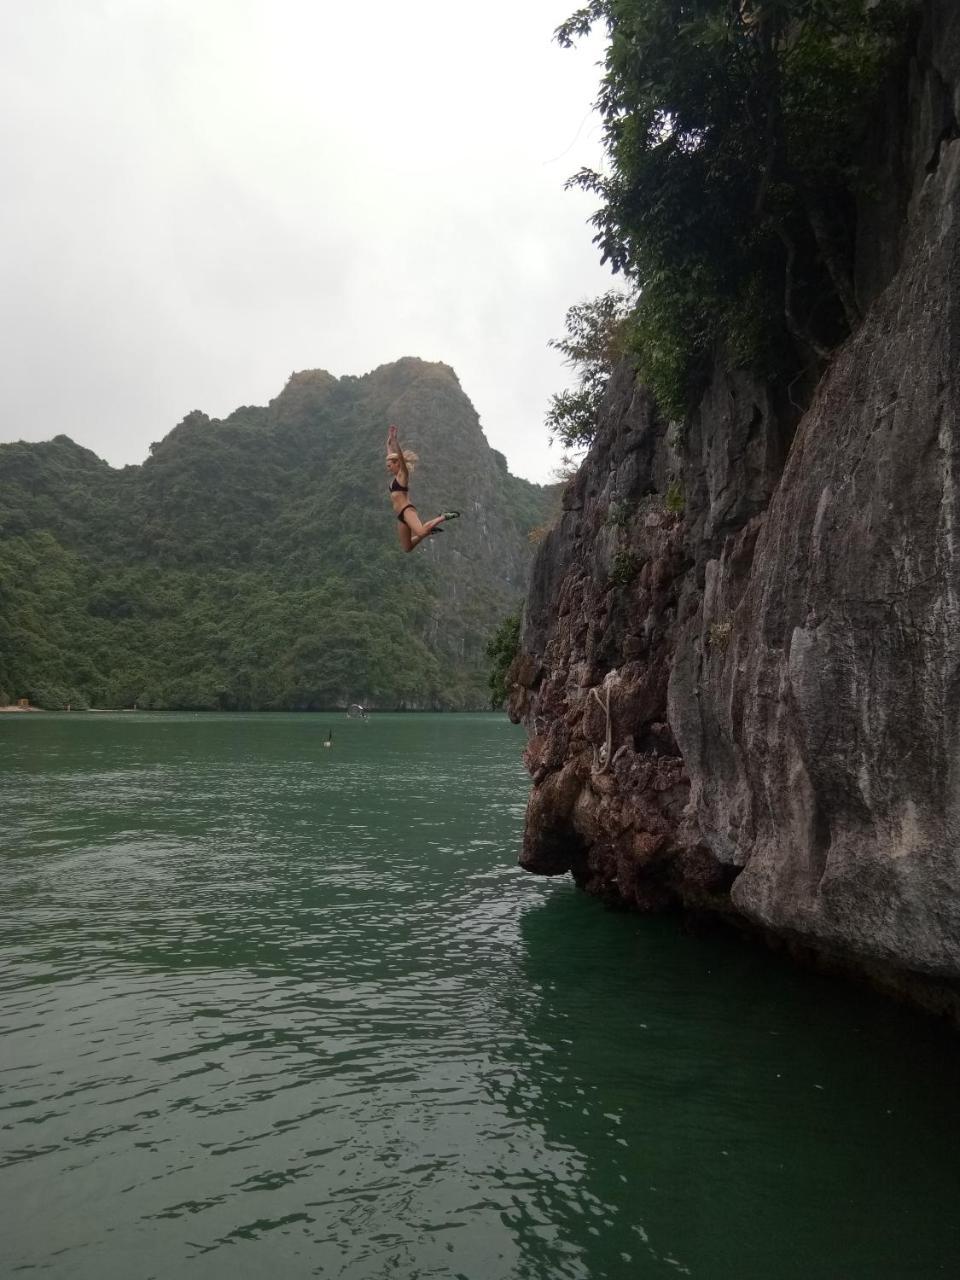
x: 833, y: 706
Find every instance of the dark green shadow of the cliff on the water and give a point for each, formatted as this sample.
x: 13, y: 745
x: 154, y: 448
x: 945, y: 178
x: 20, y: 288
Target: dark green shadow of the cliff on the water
x: 708, y: 1112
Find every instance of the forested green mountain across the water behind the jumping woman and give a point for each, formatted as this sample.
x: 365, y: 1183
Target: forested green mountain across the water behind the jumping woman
x: 254, y: 563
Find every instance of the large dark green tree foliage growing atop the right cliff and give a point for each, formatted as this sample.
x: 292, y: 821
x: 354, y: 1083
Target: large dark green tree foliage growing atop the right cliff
x: 733, y: 134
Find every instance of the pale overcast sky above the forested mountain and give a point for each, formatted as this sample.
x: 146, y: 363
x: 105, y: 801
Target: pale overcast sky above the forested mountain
x: 200, y: 196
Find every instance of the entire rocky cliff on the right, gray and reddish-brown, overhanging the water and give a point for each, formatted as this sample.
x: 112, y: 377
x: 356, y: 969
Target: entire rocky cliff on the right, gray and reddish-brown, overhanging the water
x: 740, y: 661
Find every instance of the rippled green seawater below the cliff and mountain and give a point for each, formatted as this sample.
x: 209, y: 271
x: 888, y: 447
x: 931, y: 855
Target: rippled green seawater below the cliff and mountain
x: 277, y: 1011
